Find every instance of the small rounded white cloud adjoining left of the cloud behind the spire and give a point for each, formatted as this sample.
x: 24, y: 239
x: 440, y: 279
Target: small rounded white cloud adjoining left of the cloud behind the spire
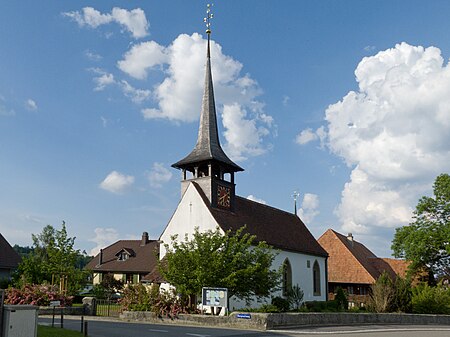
x: 142, y: 57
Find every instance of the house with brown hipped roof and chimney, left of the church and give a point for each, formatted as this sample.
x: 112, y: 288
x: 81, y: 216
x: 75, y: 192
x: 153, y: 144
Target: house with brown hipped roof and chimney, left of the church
x: 128, y: 260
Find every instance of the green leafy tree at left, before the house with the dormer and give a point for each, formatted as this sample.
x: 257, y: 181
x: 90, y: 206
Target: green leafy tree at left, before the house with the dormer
x: 52, y: 259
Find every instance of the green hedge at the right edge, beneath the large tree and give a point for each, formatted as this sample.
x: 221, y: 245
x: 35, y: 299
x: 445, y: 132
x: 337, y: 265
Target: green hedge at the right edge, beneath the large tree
x: 430, y: 300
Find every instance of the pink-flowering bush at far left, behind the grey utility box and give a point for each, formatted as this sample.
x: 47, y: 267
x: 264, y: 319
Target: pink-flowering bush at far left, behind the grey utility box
x: 35, y: 294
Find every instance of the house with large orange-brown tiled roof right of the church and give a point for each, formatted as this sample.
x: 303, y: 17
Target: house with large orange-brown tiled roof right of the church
x: 353, y: 267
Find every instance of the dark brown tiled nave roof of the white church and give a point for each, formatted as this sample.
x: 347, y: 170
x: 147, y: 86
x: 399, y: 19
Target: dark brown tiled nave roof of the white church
x: 278, y: 228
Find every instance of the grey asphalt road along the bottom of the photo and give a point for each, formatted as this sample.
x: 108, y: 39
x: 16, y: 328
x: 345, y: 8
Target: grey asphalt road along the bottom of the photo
x: 100, y: 328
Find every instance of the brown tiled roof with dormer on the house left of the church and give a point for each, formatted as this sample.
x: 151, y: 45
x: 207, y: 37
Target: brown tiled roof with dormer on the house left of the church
x: 142, y: 261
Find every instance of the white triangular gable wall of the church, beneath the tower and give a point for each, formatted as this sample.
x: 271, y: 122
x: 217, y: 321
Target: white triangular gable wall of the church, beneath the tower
x: 190, y: 213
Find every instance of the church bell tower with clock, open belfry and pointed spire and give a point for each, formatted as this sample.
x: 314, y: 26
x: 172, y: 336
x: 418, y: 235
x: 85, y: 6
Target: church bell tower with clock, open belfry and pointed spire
x: 207, y: 164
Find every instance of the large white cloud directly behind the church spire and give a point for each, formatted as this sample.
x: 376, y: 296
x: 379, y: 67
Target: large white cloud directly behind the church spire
x: 179, y: 95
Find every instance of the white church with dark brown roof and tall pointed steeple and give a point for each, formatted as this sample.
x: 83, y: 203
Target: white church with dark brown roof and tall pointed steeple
x: 209, y: 201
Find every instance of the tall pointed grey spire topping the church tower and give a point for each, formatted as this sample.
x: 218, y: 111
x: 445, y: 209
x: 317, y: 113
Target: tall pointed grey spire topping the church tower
x: 208, y: 145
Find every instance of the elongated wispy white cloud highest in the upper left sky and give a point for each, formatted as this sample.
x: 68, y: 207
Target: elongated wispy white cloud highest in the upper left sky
x: 133, y: 21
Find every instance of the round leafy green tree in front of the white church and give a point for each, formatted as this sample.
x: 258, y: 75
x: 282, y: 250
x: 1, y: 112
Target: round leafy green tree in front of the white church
x: 214, y: 259
